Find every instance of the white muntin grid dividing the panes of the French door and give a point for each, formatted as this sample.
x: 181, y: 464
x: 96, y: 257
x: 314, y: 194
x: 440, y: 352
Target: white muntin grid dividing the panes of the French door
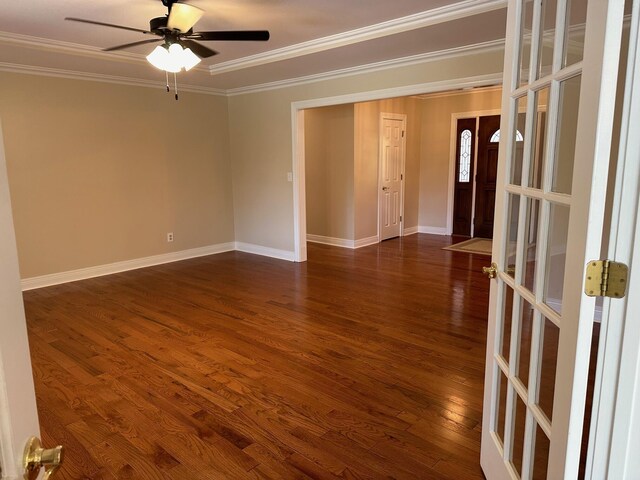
x: 529, y: 394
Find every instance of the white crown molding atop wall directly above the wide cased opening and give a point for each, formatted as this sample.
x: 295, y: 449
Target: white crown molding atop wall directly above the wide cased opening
x: 485, y: 47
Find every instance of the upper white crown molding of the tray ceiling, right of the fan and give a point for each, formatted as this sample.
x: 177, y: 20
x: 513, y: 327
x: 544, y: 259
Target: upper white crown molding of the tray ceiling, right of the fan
x: 434, y: 16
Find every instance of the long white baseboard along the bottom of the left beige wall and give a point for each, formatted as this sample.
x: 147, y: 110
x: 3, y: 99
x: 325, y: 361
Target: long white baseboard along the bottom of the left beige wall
x: 100, y: 270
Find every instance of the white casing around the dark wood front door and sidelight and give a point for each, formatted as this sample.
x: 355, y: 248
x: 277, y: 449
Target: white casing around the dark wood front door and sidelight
x: 453, y: 162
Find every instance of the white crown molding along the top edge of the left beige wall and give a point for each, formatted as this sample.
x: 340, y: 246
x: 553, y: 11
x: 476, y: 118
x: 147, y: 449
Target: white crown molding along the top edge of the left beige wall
x: 96, y: 77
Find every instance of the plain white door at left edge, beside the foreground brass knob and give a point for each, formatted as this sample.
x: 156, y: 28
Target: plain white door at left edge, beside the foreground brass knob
x: 18, y: 414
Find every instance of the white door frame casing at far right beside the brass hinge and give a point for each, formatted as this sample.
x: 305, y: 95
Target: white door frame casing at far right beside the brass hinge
x: 615, y: 427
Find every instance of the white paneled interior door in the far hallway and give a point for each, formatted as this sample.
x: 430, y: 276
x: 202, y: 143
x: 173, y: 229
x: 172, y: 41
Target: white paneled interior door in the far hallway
x: 390, y: 199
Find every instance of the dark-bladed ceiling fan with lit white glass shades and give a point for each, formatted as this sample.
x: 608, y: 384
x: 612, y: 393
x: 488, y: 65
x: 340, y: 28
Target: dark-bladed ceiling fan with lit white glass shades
x: 179, y: 49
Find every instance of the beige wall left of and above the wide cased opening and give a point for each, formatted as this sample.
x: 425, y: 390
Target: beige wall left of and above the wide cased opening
x: 260, y: 131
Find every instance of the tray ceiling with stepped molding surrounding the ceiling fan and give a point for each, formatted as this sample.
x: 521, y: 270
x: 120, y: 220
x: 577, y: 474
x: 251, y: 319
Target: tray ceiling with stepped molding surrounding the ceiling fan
x: 308, y: 37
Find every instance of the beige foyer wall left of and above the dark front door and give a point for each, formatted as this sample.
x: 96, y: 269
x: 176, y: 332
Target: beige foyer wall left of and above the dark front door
x: 436, y: 148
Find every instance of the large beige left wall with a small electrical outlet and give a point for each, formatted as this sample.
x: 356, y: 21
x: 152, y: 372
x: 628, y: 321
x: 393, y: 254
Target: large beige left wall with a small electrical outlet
x: 99, y: 172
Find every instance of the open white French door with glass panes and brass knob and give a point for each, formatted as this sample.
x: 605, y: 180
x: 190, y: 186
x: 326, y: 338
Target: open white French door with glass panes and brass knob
x: 546, y: 229
